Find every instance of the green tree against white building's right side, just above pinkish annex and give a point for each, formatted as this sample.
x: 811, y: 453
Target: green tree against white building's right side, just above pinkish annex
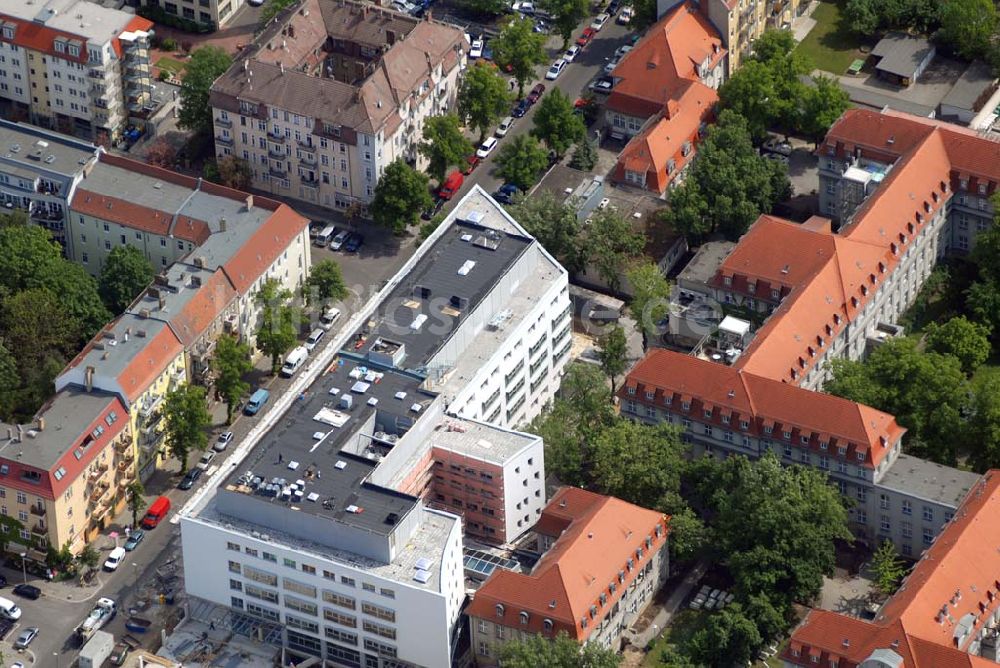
x: 579, y: 413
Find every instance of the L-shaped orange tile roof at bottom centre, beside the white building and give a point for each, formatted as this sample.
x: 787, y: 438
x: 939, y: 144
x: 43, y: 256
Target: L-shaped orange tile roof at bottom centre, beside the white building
x: 602, y: 535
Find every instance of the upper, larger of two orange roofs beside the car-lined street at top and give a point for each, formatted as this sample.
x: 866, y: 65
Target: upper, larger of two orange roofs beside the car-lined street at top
x: 670, y: 53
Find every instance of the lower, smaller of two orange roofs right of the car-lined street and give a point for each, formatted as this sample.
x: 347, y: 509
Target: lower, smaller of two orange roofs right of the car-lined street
x: 651, y: 150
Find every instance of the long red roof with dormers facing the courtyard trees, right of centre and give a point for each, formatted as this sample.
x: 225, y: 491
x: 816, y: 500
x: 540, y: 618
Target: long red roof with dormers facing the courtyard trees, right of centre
x: 761, y: 402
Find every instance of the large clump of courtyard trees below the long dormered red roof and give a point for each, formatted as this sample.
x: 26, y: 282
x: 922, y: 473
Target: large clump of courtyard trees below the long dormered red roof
x: 773, y: 528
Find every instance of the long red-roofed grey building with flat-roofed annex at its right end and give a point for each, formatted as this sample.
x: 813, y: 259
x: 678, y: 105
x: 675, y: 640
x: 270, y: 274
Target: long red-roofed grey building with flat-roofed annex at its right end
x: 727, y: 411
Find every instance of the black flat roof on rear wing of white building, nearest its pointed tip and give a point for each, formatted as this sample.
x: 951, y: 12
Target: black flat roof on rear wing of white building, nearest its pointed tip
x: 440, y: 289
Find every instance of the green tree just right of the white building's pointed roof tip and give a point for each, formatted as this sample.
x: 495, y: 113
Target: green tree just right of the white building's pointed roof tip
x: 555, y: 226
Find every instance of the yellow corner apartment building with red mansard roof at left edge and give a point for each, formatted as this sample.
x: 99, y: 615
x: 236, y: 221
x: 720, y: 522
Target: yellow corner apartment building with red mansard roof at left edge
x: 63, y: 476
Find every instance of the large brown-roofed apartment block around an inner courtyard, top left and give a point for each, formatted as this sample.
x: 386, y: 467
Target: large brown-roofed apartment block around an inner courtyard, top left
x: 331, y: 93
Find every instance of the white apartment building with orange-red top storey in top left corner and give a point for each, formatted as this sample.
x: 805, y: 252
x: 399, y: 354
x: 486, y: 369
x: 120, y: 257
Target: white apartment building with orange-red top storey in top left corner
x: 74, y: 66
